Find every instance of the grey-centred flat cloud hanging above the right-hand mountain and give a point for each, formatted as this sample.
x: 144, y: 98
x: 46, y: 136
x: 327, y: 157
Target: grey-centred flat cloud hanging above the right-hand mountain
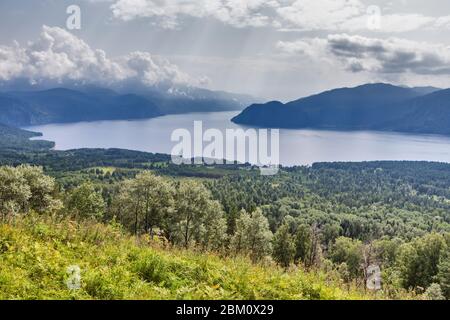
x: 383, y: 56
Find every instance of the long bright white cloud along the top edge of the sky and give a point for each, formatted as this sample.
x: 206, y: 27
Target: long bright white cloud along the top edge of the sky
x: 304, y: 15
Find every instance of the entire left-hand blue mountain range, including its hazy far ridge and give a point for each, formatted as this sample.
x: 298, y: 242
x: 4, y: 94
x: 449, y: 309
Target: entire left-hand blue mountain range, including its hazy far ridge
x: 88, y: 103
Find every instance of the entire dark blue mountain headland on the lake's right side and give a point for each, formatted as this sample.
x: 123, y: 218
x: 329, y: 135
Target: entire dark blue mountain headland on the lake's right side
x: 367, y: 107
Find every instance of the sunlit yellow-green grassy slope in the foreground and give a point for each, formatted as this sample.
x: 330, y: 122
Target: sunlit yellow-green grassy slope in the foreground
x: 36, y: 252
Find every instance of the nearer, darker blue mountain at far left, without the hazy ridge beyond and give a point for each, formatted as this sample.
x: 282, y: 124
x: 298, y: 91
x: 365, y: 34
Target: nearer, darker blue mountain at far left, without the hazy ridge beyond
x: 66, y: 105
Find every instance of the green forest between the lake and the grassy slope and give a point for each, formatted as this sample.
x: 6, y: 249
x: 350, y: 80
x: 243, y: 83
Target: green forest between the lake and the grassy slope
x: 336, y: 219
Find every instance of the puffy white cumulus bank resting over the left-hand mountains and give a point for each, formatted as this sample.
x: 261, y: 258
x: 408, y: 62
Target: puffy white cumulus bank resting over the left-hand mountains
x: 58, y: 56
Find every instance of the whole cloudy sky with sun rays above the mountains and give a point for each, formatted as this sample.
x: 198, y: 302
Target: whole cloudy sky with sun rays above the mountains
x: 272, y: 49
